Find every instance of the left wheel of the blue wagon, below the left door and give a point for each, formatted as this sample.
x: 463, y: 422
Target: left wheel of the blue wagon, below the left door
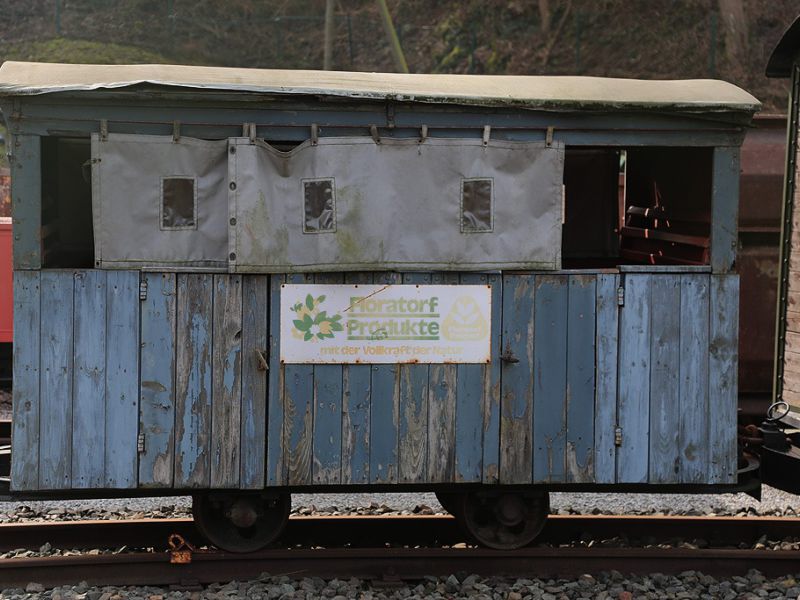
x: 241, y: 522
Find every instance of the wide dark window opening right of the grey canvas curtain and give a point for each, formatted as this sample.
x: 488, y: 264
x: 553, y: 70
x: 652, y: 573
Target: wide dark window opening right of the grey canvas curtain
x: 649, y: 205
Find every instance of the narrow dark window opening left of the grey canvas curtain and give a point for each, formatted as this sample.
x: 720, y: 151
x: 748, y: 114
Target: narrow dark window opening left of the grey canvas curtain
x: 67, y: 233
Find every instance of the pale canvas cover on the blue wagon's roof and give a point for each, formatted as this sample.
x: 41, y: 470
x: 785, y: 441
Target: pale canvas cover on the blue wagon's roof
x: 693, y: 95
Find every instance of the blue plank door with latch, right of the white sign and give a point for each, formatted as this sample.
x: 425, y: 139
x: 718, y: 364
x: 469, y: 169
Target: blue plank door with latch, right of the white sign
x: 558, y: 373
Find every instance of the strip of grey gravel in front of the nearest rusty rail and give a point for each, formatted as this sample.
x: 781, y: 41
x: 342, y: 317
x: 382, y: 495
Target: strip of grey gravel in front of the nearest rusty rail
x: 603, y: 586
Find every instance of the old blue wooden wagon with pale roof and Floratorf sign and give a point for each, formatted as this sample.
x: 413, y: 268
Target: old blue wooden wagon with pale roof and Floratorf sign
x: 238, y: 284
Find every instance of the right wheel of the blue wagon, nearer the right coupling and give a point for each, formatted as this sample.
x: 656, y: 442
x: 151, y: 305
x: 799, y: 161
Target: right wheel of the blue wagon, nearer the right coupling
x: 504, y: 520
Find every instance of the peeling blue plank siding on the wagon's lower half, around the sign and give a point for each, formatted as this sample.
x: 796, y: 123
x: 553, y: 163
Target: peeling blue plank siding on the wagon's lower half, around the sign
x: 588, y: 390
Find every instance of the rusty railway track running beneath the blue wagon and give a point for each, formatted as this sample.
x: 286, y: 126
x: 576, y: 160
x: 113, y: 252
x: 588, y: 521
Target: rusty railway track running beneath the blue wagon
x: 420, y: 545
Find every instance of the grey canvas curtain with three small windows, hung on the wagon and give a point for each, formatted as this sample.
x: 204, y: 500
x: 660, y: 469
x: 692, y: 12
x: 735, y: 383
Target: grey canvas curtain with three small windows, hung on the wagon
x: 340, y: 204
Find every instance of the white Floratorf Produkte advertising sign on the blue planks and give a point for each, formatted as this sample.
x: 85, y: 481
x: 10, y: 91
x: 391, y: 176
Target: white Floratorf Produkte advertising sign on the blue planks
x: 385, y: 323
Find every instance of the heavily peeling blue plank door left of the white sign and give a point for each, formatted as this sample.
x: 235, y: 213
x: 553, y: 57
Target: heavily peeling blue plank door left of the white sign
x: 203, y: 380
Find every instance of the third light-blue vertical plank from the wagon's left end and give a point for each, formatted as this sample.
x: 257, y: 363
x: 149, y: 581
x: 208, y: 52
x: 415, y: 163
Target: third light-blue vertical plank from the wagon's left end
x: 89, y: 380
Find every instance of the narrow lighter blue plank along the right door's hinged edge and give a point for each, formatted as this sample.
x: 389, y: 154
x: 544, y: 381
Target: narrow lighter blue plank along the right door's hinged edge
x: 606, y: 373
